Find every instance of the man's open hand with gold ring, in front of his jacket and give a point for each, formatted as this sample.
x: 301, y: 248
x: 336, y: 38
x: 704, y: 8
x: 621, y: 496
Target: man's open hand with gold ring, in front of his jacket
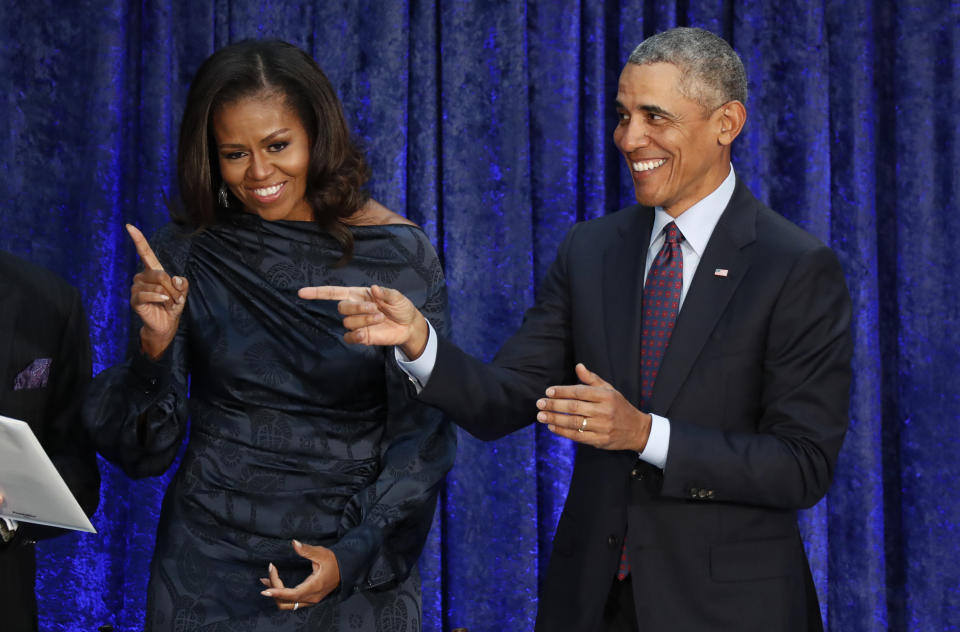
x: 611, y: 422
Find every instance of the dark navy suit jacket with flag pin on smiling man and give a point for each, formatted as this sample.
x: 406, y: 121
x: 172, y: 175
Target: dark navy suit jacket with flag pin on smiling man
x: 755, y: 384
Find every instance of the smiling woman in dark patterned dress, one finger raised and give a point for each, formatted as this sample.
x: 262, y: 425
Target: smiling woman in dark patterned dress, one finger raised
x: 310, y: 476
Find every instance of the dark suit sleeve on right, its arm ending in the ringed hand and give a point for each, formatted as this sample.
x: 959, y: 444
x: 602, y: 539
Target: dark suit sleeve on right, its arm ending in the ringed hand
x: 780, y: 447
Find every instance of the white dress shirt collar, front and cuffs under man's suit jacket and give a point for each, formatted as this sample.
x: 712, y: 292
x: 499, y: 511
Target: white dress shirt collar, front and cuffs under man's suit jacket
x: 696, y: 224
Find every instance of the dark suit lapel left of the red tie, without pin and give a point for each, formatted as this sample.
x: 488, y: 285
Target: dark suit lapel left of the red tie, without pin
x: 623, y: 264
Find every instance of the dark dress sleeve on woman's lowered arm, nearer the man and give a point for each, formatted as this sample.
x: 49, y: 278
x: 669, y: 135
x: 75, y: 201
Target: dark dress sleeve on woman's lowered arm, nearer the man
x: 384, y: 527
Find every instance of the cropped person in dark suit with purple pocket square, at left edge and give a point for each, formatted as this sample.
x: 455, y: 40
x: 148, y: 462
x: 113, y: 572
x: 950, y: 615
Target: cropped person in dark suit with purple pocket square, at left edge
x: 45, y: 366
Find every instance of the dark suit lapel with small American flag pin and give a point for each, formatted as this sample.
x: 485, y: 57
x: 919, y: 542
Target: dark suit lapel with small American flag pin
x: 708, y: 295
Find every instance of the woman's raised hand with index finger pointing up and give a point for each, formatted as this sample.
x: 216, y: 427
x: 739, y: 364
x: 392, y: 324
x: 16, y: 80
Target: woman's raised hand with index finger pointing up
x: 157, y: 298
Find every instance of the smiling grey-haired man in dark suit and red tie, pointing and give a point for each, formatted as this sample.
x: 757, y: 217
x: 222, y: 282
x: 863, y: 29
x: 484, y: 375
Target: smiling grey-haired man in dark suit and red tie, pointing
x: 696, y: 346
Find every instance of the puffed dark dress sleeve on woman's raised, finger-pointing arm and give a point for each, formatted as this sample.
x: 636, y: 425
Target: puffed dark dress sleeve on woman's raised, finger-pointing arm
x: 136, y: 411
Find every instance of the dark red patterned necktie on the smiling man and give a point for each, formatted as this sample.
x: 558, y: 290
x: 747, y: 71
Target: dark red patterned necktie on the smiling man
x: 661, y: 302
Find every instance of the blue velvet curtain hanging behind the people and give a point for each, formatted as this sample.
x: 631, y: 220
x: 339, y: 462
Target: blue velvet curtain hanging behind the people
x: 489, y: 124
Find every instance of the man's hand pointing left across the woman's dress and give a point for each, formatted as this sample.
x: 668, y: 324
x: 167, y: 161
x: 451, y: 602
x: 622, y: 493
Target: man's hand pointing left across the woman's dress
x: 376, y: 316
